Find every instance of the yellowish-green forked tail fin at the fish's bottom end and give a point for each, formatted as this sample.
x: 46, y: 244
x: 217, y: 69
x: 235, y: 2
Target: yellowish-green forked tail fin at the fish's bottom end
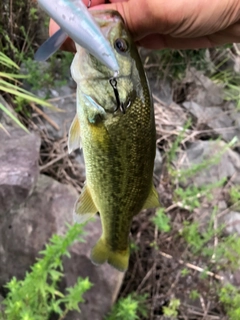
x: 102, y: 253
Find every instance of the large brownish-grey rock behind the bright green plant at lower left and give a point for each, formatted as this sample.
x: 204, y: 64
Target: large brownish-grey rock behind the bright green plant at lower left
x: 25, y: 231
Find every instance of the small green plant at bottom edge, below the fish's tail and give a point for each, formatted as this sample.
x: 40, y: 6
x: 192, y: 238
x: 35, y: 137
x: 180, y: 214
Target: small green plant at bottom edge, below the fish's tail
x: 130, y: 308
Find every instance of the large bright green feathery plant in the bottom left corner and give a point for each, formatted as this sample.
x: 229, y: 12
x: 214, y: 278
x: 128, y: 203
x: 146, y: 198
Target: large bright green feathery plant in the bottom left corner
x: 37, y: 296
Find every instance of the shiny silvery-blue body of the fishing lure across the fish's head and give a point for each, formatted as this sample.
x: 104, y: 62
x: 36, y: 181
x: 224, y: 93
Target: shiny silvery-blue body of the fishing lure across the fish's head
x: 74, y: 18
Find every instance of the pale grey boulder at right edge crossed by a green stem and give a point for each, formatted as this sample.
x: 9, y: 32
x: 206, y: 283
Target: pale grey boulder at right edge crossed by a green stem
x: 227, y: 166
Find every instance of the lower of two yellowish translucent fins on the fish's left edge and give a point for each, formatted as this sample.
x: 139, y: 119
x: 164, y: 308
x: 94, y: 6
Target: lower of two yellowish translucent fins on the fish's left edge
x: 84, y: 207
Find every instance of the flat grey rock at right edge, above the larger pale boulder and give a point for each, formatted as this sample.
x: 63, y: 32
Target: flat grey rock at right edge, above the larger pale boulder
x: 222, y: 122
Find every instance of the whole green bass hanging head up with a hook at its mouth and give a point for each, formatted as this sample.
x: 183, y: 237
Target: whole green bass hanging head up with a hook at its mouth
x: 115, y: 127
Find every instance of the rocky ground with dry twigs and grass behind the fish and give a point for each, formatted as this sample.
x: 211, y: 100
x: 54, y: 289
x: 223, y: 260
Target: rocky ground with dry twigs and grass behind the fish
x: 39, y: 183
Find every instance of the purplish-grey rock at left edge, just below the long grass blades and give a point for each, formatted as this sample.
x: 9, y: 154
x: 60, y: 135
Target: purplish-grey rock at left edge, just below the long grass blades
x: 19, y: 155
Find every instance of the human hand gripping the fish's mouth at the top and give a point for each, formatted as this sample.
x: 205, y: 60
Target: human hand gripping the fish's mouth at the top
x: 182, y: 24
